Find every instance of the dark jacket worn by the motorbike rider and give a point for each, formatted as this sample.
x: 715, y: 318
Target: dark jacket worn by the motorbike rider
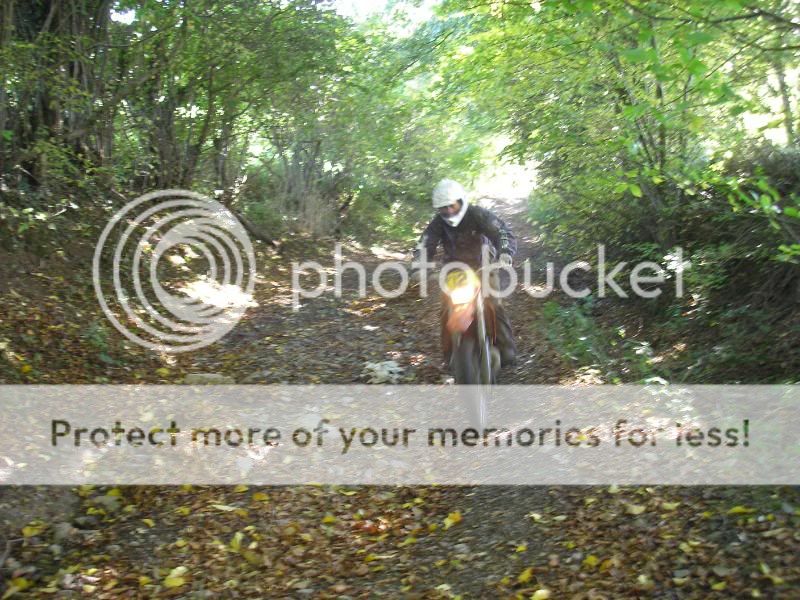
x: 463, y: 243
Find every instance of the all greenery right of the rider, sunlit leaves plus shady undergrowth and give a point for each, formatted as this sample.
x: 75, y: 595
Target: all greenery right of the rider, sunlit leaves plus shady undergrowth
x: 640, y: 117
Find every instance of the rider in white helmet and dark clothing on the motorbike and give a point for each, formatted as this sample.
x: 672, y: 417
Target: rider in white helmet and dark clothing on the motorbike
x: 463, y: 229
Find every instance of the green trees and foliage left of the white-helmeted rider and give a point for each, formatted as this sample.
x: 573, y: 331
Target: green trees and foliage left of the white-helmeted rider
x: 313, y: 110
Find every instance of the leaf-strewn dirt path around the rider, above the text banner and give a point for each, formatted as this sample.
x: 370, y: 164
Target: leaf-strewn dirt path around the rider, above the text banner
x: 329, y: 339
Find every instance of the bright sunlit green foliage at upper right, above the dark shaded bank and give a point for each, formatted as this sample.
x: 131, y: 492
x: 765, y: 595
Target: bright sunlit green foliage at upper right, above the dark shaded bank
x: 624, y: 107
